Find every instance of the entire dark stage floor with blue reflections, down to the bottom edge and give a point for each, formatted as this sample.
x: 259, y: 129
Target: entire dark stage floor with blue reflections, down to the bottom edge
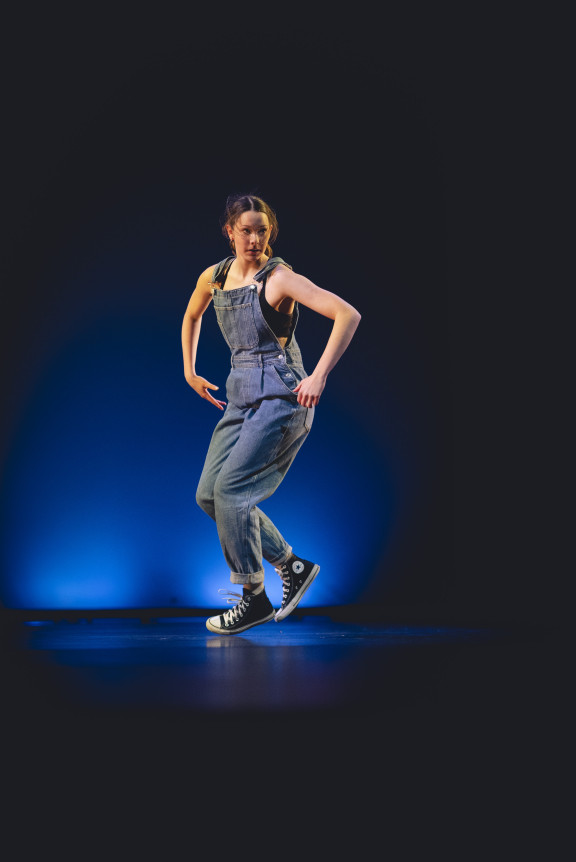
x: 365, y: 721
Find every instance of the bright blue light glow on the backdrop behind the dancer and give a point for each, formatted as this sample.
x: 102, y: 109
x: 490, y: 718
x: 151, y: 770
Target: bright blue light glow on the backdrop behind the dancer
x: 100, y: 486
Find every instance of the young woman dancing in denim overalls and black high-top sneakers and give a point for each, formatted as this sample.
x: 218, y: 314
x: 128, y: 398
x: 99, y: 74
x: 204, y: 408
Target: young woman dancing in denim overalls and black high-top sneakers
x: 271, y: 403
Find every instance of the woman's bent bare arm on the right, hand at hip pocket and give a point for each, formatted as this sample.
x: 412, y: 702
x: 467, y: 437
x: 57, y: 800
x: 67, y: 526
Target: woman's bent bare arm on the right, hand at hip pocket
x: 285, y: 283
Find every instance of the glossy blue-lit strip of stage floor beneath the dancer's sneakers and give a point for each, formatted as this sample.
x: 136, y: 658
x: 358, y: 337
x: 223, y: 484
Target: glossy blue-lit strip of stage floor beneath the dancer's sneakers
x: 308, y: 665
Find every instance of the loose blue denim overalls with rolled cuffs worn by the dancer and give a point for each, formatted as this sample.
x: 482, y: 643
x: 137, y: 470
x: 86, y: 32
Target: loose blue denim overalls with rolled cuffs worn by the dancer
x: 259, y: 434
